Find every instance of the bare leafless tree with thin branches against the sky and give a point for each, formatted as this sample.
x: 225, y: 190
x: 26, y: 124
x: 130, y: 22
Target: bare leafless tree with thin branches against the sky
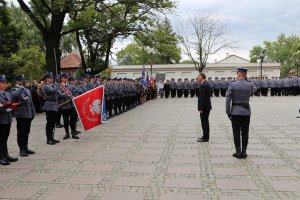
x: 202, y: 37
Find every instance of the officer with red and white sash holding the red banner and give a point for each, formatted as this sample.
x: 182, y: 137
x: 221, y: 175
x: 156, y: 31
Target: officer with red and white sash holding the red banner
x: 66, y: 92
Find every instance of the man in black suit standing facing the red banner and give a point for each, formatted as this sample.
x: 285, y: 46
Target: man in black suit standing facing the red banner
x: 204, y: 106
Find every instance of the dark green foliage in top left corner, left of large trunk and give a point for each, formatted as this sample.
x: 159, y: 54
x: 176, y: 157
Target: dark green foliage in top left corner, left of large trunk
x: 9, y: 35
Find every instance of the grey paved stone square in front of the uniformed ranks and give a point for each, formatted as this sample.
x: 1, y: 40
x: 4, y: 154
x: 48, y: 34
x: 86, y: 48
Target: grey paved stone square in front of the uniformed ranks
x: 151, y: 153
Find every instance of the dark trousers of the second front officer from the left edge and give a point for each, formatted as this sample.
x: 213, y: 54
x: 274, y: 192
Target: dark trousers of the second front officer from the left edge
x: 23, y: 130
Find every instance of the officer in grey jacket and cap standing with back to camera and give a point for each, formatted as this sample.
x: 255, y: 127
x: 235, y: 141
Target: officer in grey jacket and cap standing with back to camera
x: 238, y: 110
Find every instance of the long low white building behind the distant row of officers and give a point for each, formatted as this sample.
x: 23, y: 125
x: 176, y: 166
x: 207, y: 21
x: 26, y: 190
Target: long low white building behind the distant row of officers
x: 224, y: 68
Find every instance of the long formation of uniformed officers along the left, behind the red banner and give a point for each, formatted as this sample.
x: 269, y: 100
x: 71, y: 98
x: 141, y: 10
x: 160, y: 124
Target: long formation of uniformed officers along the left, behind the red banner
x: 52, y: 96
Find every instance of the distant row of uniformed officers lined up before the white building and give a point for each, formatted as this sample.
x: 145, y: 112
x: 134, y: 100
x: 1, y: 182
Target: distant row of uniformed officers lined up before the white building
x: 289, y: 86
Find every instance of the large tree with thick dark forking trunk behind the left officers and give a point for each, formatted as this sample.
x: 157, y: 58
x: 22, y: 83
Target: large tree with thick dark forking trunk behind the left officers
x: 49, y: 17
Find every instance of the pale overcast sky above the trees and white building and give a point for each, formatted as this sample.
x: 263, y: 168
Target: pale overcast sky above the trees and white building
x: 249, y: 22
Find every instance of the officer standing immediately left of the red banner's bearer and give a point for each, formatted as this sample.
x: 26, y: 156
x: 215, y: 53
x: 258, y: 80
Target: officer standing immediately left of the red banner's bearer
x: 51, y: 107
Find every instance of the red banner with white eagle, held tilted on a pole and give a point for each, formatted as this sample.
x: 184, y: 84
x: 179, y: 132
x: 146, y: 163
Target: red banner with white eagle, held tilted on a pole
x: 89, y: 107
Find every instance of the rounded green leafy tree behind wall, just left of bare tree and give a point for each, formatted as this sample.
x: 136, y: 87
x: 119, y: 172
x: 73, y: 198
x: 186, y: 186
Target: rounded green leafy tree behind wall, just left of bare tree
x: 159, y: 45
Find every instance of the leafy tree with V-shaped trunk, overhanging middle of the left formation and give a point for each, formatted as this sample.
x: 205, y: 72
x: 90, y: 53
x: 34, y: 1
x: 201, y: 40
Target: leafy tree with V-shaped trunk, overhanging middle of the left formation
x: 112, y: 20
